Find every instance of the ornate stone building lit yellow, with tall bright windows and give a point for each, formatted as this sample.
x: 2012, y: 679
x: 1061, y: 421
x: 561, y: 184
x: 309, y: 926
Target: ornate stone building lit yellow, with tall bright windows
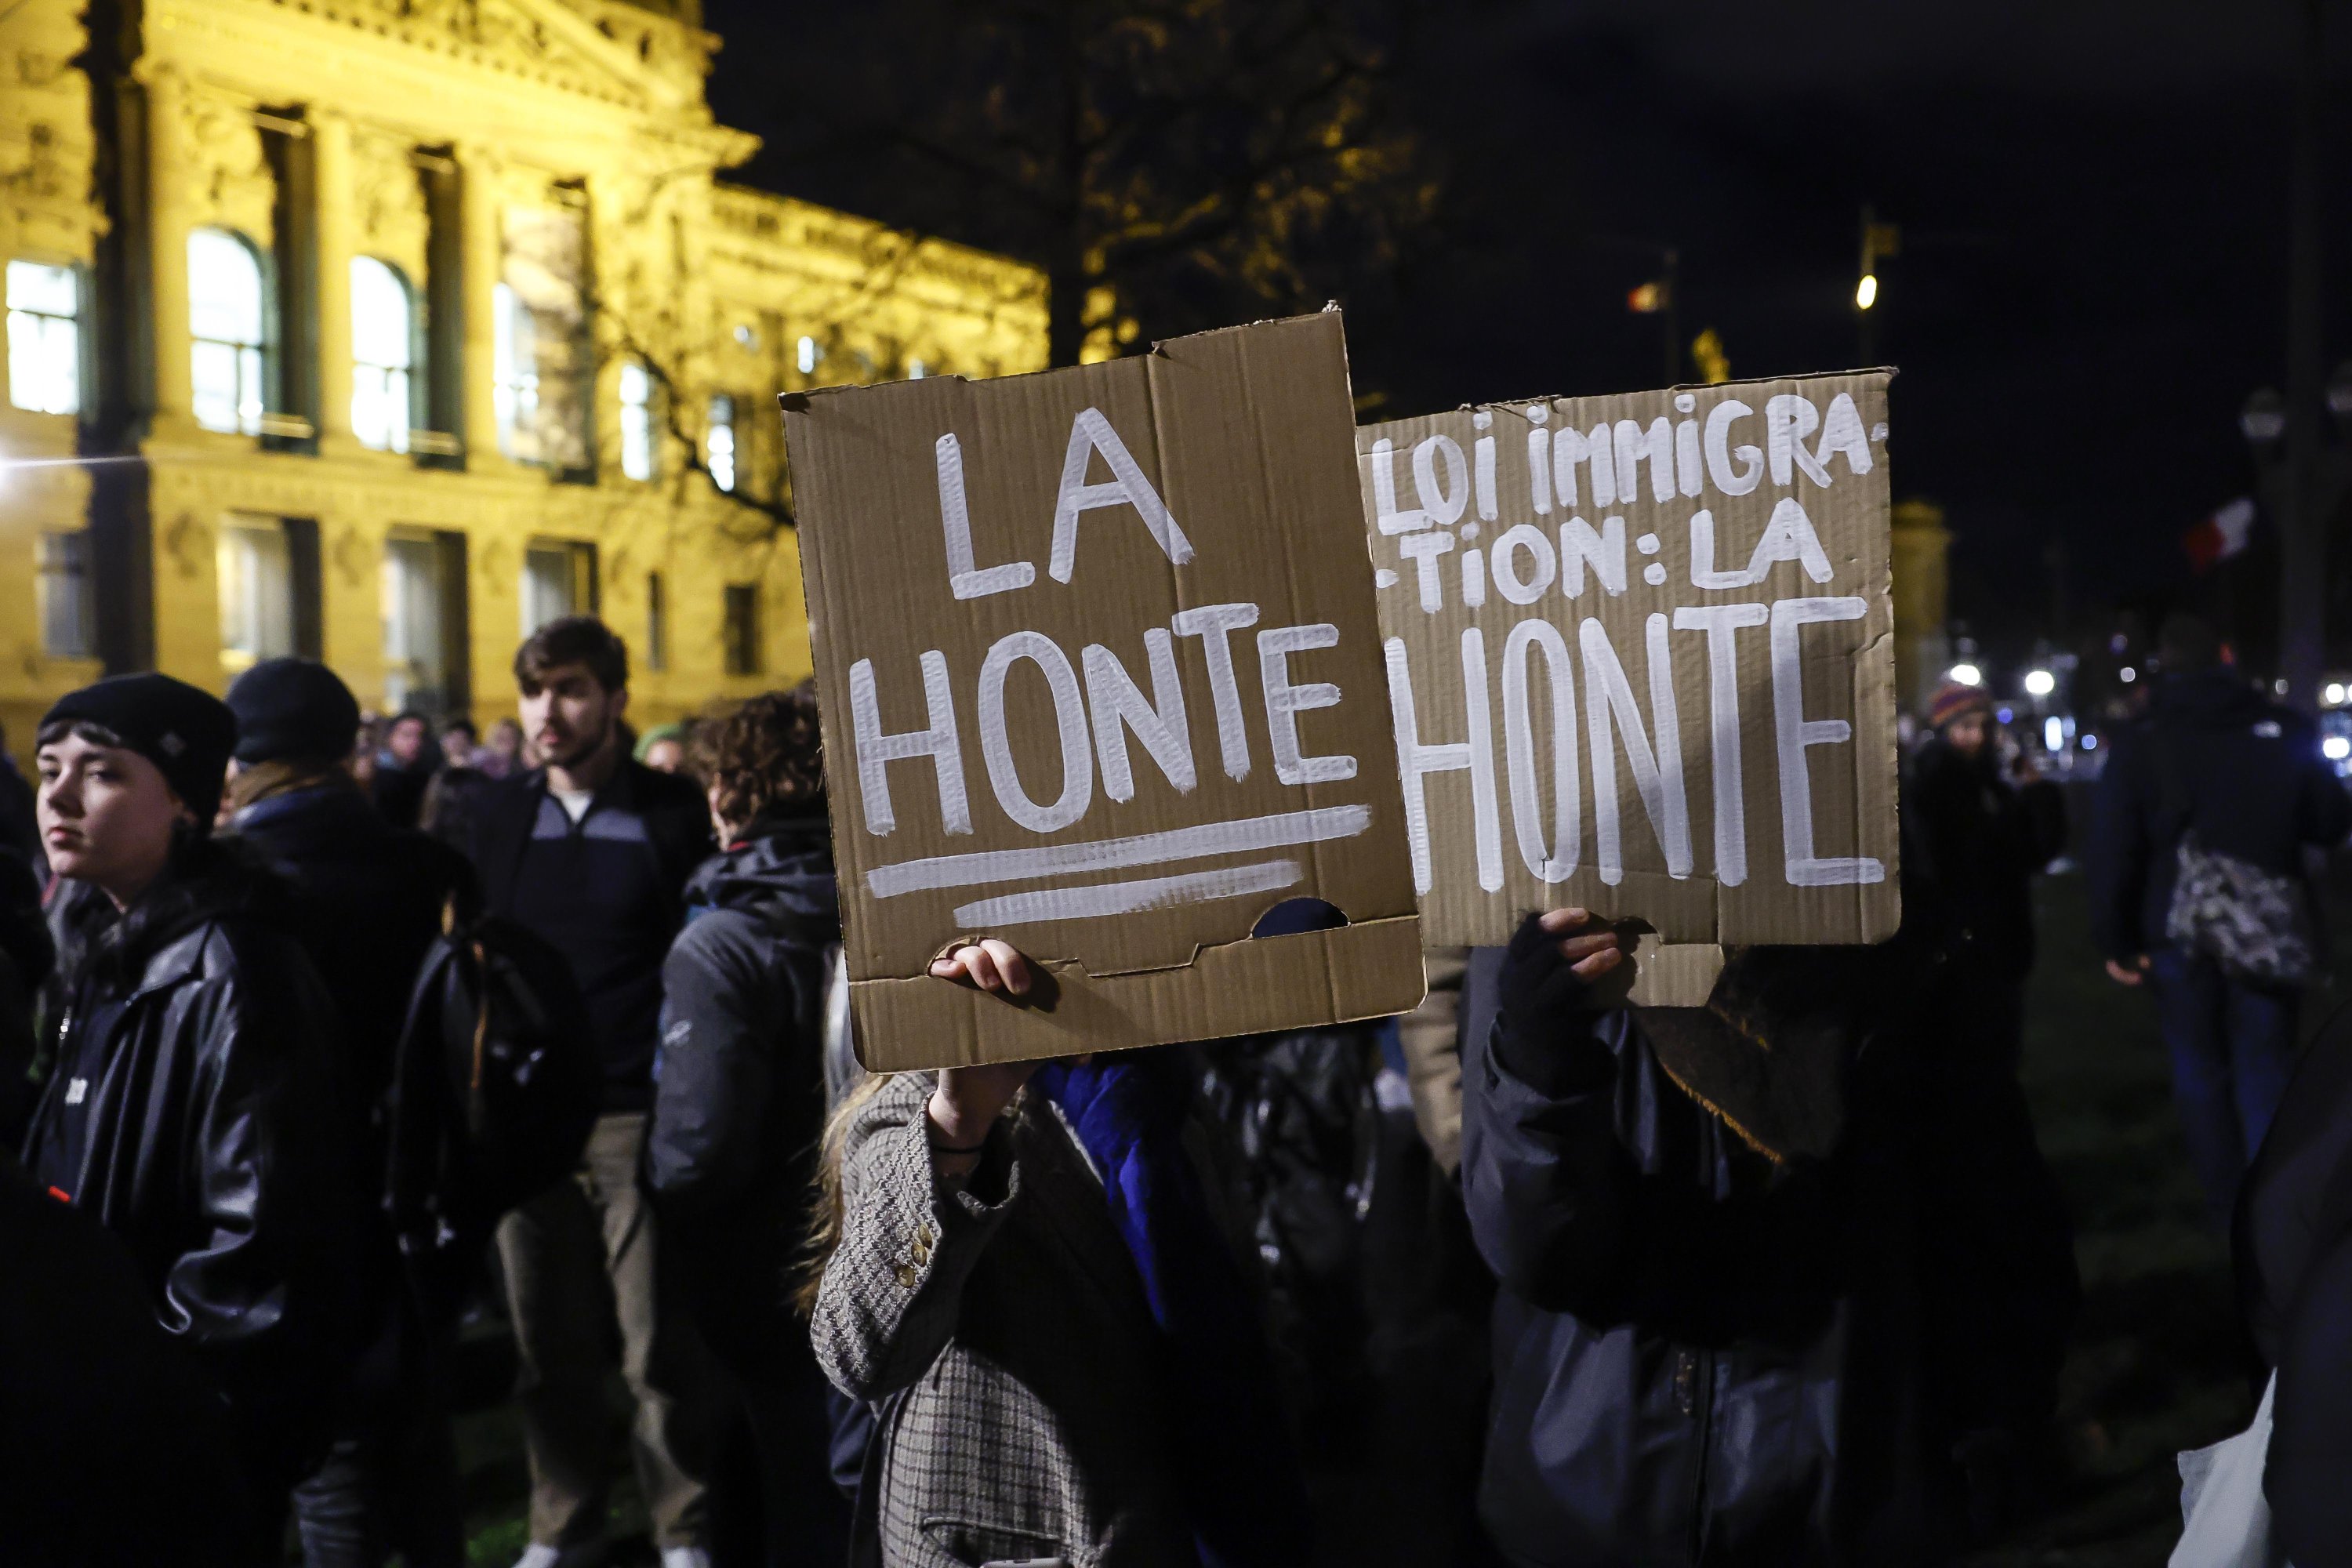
x: 385, y: 330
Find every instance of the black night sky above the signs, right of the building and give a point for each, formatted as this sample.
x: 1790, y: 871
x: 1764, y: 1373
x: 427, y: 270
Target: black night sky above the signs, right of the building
x: 2092, y: 203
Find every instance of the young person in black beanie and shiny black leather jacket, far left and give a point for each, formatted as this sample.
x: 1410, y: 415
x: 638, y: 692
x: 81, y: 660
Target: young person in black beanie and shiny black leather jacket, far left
x: 194, y: 1106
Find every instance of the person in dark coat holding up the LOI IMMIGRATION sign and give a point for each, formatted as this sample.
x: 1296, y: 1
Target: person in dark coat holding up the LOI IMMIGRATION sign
x: 1782, y: 1278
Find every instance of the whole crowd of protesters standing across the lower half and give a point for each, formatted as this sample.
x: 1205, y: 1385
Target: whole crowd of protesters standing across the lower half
x: 1532, y: 1278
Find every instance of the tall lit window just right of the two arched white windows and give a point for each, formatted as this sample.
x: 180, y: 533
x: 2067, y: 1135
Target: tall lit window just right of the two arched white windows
x: 542, y: 361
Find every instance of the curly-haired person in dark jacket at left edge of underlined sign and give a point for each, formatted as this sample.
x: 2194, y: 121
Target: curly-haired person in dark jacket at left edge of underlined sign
x: 740, y: 1106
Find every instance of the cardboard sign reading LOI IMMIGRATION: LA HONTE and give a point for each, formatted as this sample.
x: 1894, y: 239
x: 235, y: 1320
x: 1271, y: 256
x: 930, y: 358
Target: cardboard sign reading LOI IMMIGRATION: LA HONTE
x: 1690, y: 587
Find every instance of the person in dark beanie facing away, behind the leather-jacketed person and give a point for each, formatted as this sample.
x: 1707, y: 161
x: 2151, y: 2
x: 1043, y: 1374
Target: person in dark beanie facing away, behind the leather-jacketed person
x: 368, y: 902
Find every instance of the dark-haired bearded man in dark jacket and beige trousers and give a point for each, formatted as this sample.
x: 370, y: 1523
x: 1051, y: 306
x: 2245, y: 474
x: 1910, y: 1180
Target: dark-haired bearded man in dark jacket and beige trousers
x: 594, y: 852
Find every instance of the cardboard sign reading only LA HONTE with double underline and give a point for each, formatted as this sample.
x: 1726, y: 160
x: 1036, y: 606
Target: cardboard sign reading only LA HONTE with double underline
x: 1102, y: 676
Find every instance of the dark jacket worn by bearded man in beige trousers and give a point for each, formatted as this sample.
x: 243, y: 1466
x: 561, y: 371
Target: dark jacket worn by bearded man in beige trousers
x: 608, y: 892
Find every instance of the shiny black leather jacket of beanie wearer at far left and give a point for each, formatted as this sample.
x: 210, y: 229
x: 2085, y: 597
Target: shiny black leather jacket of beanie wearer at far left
x: 215, y: 1141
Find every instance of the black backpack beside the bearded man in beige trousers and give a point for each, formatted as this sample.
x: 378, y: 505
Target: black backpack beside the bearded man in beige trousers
x: 495, y: 1092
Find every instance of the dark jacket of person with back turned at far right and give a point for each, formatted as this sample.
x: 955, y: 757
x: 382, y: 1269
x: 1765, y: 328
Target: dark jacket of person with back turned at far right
x: 2254, y: 789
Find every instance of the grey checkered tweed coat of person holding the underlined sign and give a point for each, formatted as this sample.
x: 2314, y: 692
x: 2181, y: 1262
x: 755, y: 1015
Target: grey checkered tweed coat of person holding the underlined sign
x: 1013, y: 1320
